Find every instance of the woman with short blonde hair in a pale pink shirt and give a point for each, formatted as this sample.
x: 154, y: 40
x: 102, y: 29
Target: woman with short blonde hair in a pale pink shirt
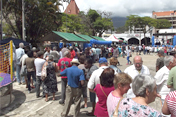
x: 122, y: 84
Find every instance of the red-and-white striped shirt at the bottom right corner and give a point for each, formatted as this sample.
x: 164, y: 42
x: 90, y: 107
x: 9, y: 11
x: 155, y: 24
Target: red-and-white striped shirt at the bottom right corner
x: 171, y: 103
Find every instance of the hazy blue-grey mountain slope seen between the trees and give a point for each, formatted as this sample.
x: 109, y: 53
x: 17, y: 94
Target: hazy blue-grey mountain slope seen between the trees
x: 118, y: 21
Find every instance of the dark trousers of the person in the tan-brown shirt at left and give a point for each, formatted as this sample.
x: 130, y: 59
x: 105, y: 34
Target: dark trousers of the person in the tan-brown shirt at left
x: 29, y: 74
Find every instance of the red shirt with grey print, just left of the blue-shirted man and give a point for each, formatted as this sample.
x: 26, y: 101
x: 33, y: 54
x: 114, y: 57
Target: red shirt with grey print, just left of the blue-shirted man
x: 63, y: 64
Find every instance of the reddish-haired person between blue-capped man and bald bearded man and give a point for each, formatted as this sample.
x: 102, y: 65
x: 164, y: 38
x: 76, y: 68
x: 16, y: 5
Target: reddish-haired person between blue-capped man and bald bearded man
x: 113, y: 64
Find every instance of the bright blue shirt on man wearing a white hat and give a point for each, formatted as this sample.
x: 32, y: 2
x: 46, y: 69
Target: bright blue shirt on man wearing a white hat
x: 74, y: 76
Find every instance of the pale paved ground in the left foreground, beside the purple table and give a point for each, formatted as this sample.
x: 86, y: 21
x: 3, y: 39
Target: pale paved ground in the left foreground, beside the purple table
x: 27, y: 105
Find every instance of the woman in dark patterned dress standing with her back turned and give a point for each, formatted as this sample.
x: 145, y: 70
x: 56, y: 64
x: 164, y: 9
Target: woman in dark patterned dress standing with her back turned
x: 50, y: 83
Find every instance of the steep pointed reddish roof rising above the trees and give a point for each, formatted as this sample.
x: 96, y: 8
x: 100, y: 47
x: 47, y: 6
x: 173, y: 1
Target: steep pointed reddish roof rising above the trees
x: 72, y: 8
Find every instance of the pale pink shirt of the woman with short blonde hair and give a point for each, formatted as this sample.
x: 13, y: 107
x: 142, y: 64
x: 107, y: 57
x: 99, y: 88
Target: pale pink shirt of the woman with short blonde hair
x: 112, y: 102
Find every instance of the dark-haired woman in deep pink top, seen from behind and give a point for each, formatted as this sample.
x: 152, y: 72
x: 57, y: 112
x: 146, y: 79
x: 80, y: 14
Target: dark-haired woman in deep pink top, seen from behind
x: 102, y: 91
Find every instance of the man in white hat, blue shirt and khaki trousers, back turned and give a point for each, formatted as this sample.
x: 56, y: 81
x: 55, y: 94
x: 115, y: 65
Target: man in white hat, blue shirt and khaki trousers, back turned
x: 76, y: 79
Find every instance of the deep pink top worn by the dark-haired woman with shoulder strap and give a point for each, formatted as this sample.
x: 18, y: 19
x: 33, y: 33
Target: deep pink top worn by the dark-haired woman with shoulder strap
x: 101, y: 108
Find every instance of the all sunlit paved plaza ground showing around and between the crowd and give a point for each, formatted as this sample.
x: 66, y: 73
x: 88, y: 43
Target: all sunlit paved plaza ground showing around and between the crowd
x: 27, y: 105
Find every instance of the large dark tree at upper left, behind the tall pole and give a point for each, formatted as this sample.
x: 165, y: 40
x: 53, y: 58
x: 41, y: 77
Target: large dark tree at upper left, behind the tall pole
x: 41, y: 17
